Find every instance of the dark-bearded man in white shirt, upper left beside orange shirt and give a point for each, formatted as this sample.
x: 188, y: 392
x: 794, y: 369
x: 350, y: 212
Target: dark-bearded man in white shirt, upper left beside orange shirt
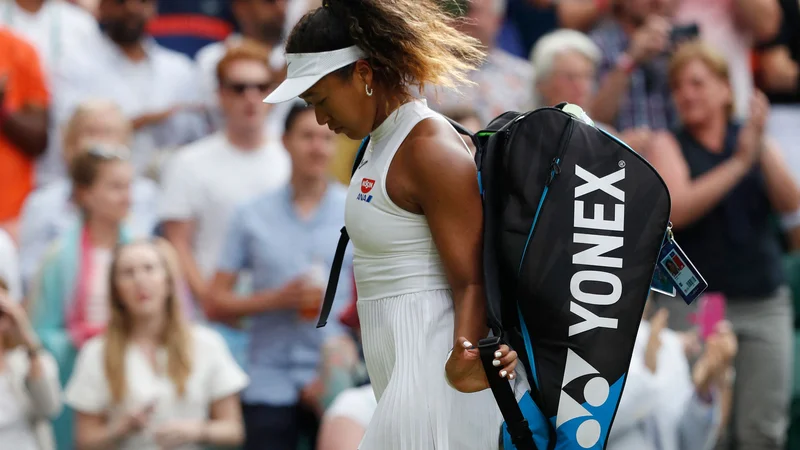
x: 154, y: 86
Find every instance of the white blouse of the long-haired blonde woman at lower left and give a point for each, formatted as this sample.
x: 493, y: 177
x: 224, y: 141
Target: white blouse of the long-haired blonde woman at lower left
x: 215, y: 375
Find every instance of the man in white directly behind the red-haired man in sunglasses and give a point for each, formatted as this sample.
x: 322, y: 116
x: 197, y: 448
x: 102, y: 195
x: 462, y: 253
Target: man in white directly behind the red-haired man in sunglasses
x: 266, y: 22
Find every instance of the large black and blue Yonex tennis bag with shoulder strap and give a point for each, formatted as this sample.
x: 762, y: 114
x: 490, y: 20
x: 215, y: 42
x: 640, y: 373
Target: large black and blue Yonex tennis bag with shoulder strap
x: 574, y: 220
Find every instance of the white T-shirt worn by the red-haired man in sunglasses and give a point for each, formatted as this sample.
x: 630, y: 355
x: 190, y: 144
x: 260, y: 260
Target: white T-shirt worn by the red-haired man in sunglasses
x: 208, y: 179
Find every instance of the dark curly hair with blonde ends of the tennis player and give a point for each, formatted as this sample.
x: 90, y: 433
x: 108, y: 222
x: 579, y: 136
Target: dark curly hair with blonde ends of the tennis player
x: 408, y: 42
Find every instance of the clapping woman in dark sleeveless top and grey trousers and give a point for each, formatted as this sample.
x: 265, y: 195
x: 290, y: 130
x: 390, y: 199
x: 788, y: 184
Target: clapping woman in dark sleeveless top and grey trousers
x: 727, y: 180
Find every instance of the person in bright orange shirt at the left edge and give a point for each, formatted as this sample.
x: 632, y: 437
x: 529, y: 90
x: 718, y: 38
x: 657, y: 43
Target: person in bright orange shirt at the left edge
x: 23, y: 123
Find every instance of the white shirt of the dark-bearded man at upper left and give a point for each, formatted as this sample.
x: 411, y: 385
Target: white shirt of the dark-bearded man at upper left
x: 163, y: 80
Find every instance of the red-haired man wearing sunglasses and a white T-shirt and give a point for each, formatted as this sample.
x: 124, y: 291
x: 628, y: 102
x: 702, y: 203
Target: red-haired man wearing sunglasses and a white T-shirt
x: 205, y: 181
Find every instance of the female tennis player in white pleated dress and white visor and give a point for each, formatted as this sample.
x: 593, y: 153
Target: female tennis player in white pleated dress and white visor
x: 413, y: 213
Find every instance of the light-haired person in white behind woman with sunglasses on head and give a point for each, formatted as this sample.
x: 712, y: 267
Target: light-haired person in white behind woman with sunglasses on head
x: 48, y: 211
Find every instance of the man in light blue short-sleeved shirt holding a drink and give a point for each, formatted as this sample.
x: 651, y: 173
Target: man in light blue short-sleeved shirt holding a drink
x: 287, y: 239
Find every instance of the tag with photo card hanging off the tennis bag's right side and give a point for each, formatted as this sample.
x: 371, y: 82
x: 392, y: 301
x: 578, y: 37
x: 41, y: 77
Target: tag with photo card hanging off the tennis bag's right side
x: 674, y: 268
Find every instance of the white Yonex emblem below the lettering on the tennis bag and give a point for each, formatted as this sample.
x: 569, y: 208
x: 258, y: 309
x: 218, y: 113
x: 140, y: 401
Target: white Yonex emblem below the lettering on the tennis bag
x: 595, y: 392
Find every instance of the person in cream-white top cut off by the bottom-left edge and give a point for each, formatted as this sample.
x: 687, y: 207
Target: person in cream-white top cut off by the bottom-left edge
x: 29, y: 388
